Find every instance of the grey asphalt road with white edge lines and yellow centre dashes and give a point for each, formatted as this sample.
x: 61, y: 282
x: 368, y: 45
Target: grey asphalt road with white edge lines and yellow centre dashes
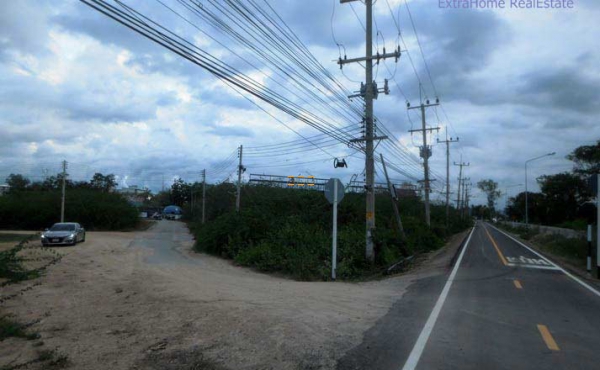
x: 501, y: 306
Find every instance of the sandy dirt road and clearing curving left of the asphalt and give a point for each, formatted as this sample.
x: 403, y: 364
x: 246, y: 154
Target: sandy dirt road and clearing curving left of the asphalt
x: 144, y: 301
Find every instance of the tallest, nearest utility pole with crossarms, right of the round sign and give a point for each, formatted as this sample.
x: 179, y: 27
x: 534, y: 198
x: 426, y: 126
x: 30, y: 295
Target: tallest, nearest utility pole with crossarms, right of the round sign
x: 369, y: 92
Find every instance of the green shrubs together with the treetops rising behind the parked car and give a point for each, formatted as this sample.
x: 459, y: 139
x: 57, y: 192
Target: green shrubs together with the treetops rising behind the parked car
x: 34, y: 206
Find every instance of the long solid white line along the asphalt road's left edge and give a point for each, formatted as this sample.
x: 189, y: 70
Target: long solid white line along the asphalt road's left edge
x: 417, y: 351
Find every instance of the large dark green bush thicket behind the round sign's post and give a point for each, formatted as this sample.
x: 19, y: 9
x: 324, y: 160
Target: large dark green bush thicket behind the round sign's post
x: 288, y: 231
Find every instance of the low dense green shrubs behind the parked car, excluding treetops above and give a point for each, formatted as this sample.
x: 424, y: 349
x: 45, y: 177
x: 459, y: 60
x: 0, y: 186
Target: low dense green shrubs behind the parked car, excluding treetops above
x: 94, y: 209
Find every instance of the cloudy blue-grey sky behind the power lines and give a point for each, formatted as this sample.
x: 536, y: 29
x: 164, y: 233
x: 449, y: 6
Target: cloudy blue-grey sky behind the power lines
x: 514, y: 84
